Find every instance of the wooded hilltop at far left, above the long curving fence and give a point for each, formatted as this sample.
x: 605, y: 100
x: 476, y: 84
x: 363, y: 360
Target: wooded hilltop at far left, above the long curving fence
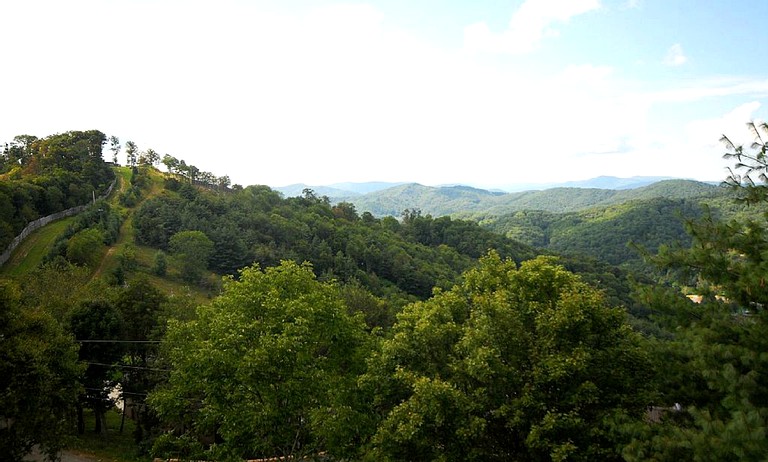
x: 41, y: 176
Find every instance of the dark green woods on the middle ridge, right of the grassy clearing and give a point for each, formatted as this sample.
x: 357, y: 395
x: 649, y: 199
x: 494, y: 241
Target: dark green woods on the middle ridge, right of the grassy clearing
x: 256, y: 224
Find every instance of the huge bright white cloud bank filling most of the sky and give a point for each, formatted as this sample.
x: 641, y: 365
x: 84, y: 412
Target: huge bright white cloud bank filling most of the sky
x: 337, y: 93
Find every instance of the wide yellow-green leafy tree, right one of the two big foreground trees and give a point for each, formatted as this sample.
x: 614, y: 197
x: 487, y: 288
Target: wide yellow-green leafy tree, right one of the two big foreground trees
x: 513, y: 364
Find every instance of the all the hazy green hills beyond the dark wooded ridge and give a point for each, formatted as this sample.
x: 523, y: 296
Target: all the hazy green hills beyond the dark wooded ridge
x: 597, y: 223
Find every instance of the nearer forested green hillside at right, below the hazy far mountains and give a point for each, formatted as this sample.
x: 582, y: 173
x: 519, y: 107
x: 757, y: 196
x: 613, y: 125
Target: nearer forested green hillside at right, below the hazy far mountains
x: 623, y: 233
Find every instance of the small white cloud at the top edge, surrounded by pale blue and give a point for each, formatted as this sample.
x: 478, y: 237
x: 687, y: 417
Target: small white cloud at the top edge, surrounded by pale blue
x: 534, y: 21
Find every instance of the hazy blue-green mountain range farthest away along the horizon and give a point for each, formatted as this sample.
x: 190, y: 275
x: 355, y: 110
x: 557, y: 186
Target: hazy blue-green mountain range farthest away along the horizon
x: 382, y: 199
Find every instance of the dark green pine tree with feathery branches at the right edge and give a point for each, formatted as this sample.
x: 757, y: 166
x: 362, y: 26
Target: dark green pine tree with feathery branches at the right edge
x: 714, y: 361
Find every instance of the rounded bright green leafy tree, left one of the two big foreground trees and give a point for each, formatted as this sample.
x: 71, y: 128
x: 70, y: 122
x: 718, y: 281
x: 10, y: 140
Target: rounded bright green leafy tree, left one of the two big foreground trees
x: 265, y: 367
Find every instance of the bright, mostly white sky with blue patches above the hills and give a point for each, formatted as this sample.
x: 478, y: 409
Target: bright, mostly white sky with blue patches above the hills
x: 486, y: 93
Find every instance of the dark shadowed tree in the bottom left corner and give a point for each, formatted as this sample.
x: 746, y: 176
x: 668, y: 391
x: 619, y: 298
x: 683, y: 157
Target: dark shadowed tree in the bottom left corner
x: 38, y: 379
